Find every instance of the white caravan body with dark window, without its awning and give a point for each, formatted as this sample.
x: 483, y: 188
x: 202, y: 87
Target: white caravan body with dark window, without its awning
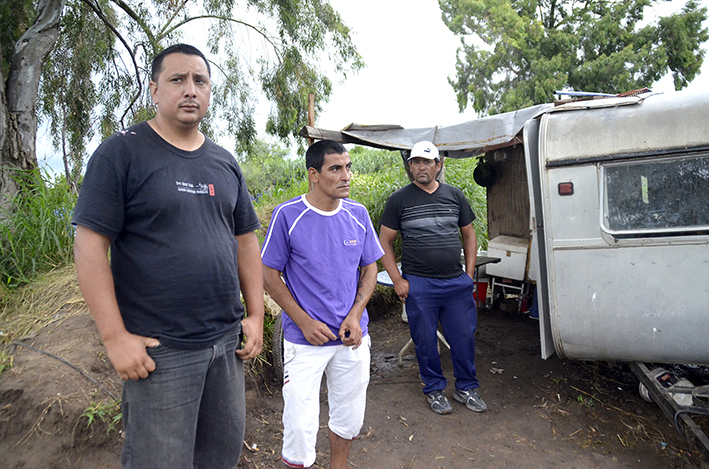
x: 620, y: 215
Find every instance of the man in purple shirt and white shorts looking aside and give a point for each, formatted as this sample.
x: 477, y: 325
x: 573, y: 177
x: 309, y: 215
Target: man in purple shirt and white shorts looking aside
x: 325, y: 247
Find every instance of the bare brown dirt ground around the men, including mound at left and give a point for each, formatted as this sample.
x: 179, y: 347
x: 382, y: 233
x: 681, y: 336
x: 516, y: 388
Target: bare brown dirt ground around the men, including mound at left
x: 541, y: 413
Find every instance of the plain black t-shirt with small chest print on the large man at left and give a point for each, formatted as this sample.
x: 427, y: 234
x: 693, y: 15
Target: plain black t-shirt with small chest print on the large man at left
x: 172, y: 217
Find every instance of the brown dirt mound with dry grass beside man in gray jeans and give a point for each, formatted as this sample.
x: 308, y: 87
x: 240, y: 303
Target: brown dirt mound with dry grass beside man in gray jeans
x: 58, y: 376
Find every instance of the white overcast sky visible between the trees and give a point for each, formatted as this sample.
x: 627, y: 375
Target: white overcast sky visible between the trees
x: 409, y: 55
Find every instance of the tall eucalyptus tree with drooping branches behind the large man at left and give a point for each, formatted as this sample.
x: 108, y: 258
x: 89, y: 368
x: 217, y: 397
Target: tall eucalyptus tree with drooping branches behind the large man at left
x: 82, y: 66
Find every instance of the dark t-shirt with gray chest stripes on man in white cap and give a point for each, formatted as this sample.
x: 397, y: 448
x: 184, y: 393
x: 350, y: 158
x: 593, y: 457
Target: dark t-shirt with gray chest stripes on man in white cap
x: 429, y: 226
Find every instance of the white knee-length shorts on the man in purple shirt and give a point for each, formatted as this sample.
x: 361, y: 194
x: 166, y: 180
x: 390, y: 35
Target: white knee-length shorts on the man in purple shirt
x: 347, y: 374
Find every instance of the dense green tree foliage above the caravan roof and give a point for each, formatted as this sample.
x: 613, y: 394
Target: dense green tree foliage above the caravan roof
x: 534, y: 47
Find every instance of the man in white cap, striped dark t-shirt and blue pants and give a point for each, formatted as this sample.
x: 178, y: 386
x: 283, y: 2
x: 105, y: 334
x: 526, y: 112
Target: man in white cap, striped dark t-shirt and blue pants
x: 430, y: 215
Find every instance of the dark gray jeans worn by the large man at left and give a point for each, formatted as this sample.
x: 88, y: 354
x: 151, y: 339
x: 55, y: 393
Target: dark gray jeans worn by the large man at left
x: 189, y: 413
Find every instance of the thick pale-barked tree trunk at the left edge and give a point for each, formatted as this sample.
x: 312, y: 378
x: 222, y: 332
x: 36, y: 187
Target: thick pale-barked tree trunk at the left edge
x: 18, y: 110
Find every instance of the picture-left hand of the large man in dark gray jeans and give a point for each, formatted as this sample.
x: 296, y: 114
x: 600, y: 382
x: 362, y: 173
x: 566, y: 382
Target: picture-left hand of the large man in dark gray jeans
x: 128, y: 356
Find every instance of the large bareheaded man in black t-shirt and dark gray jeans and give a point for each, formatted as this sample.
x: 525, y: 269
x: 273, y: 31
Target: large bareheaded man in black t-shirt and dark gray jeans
x: 173, y: 208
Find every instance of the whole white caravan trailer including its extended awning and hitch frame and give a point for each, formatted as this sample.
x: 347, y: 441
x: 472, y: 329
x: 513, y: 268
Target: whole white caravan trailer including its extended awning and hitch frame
x: 604, y: 204
